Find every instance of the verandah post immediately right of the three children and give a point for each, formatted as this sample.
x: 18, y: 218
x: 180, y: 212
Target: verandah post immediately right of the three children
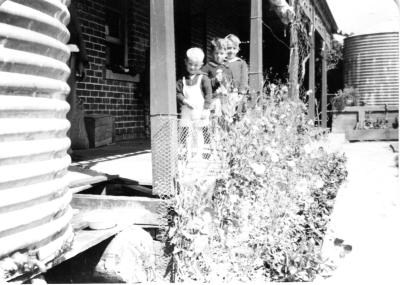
x: 256, y: 49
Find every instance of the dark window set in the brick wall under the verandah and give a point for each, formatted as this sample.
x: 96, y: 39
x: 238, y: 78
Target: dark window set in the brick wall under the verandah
x: 116, y: 36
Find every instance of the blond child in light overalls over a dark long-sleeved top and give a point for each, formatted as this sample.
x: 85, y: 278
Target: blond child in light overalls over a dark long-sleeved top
x: 194, y: 95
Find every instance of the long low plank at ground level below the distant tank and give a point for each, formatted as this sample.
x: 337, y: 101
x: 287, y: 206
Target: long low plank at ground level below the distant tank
x: 372, y: 135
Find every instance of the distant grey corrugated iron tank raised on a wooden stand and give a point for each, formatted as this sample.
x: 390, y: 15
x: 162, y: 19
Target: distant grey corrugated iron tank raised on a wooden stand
x: 371, y: 64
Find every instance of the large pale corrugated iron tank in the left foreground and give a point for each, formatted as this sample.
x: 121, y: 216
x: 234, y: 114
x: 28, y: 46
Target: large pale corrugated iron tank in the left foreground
x: 34, y: 199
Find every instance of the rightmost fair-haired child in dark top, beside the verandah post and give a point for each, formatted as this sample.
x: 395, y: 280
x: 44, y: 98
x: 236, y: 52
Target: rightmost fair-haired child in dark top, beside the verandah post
x: 237, y: 65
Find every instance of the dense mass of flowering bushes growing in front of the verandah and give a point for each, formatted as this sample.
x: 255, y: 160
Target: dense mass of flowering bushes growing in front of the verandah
x: 264, y: 214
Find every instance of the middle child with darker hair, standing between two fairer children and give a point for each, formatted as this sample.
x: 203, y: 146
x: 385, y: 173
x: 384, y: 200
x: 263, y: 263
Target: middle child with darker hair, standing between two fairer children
x: 219, y: 73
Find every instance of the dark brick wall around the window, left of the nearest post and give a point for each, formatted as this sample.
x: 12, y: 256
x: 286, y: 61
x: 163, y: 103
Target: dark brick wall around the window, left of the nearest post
x: 121, y: 99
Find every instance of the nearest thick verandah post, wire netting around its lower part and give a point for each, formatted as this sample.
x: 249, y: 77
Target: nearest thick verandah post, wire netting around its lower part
x: 163, y: 95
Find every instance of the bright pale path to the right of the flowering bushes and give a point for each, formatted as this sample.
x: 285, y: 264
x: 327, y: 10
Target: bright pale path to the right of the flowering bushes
x: 367, y: 217
